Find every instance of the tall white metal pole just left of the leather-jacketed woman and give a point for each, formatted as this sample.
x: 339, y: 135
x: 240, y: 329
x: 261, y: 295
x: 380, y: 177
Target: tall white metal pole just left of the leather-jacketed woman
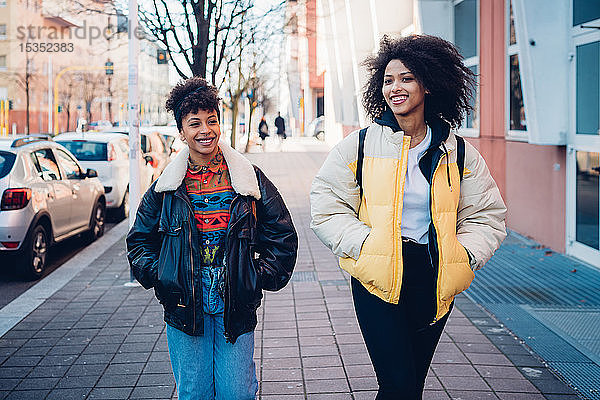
x: 133, y: 109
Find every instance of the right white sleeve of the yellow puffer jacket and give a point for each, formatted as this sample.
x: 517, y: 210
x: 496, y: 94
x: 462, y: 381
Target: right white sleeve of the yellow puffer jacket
x: 481, y: 210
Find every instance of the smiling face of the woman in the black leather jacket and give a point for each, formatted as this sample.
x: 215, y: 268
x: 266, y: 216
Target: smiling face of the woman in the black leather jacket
x: 201, y: 132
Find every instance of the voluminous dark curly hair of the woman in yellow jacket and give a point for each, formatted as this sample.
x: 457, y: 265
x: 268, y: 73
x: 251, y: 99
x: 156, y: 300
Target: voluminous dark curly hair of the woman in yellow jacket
x: 436, y: 64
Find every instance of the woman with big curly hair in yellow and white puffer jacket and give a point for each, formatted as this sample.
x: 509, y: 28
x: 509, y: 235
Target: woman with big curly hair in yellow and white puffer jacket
x: 409, y: 207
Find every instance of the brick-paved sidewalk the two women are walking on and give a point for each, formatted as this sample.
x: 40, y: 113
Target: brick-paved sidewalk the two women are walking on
x: 95, y: 338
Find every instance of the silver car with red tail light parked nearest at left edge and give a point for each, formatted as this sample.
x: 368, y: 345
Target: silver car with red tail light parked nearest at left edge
x: 46, y: 198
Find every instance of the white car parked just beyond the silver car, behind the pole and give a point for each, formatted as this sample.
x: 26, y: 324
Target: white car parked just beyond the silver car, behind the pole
x: 108, y: 153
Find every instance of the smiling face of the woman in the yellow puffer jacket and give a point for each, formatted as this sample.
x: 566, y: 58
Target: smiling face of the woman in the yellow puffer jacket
x: 404, y: 95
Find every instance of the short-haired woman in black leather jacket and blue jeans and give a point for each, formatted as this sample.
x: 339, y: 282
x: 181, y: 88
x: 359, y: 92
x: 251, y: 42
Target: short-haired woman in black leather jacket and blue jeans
x: 209, y: 236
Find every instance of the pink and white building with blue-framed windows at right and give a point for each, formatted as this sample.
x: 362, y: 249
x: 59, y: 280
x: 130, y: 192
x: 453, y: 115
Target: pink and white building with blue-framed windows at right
x: 537, y: 113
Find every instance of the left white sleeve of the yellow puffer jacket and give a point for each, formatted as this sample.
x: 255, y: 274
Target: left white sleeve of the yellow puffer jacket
x: 334, y: 203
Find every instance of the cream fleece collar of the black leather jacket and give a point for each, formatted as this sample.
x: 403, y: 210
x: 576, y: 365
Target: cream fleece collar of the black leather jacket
x: 241, y: 171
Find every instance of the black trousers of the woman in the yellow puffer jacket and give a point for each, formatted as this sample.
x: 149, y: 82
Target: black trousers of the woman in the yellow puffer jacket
x: 399, y: 337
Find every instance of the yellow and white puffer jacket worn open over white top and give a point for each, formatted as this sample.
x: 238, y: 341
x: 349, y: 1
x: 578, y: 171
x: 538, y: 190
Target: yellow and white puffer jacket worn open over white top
x: 467, y: 216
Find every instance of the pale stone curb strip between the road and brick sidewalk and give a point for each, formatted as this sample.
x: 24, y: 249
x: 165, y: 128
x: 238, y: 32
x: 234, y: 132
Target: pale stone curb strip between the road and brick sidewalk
x: 19, y: 308
